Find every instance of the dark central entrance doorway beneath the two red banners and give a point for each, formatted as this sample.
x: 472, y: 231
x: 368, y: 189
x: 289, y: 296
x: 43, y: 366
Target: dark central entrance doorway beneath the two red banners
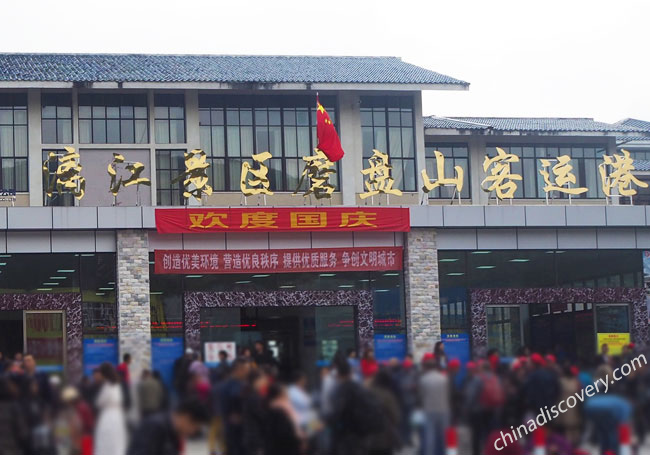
x: 298, y: 338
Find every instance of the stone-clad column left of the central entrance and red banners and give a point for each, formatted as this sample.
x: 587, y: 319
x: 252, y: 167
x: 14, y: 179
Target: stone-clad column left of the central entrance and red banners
x: 134, y: 317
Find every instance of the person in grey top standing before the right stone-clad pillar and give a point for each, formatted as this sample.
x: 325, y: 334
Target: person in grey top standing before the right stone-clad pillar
x: 434, y: 391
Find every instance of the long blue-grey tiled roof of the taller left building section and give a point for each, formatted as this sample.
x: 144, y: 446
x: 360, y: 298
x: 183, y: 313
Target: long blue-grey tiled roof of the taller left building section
x: 214, y: 68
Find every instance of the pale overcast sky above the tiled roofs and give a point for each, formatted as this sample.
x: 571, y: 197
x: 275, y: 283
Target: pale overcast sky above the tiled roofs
x: 523, y: 58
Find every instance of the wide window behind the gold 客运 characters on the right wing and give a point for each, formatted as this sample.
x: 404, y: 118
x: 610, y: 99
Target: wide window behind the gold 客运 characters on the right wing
x: 585, y: 161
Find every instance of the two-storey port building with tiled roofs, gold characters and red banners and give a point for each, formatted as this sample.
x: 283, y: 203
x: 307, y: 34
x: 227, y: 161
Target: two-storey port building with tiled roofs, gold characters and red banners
x: 143, y: 214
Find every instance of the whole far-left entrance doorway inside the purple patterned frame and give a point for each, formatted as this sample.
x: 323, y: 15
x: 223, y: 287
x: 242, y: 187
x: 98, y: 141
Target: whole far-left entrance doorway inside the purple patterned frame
x: 40, y: 333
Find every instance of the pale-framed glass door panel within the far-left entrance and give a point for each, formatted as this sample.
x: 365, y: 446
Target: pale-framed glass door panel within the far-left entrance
x: 44, y: 333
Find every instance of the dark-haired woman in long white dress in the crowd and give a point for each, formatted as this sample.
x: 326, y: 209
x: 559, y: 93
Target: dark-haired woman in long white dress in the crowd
x: 110, y: 432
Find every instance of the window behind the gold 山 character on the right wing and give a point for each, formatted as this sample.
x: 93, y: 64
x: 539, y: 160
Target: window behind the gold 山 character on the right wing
x: 454, y: 155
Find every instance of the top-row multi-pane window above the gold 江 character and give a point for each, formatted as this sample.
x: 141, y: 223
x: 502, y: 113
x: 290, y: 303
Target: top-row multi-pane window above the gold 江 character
x: 113, y: 119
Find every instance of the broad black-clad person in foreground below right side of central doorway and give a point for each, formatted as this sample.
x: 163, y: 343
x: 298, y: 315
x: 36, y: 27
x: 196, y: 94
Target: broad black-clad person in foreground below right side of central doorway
x: 355, y: 415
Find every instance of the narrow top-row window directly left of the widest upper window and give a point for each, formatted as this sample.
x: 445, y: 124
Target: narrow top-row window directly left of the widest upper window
x: 169, y: 115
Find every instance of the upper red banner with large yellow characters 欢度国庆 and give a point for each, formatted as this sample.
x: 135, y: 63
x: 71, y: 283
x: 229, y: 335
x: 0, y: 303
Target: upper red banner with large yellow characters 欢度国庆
x: 268, y: 219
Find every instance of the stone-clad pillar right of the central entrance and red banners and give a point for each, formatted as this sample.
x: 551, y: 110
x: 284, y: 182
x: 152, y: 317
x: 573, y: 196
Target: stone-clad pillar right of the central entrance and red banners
x: 422, y: 290
